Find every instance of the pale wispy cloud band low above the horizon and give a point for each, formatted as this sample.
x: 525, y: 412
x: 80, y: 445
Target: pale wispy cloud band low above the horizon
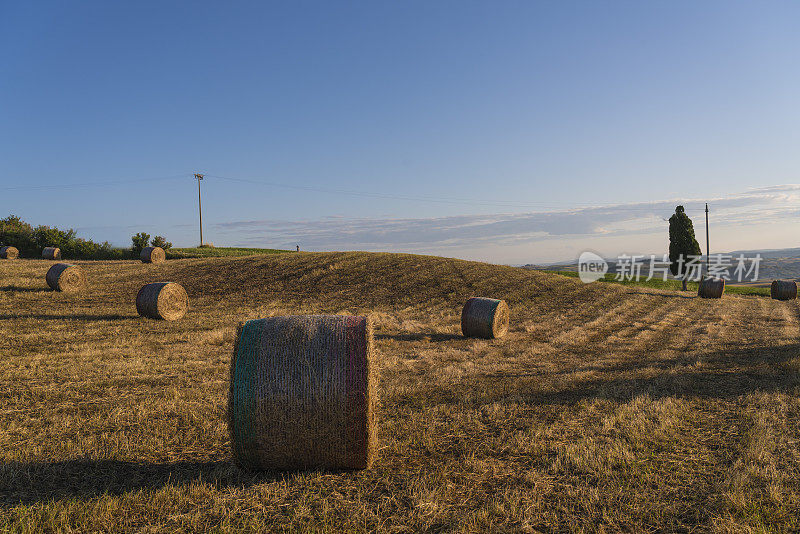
x: 767, y: 204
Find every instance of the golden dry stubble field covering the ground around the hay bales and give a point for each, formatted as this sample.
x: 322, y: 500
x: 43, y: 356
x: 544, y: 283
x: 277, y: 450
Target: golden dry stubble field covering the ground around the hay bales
x: 605, y: 408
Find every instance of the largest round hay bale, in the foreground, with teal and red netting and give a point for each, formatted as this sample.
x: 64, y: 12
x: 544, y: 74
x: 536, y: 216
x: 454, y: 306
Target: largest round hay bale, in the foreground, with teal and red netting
x: 303, y: 393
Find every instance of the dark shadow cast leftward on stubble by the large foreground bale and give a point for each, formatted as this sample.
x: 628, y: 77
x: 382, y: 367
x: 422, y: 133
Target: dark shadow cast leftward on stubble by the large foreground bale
x: 33, y: 482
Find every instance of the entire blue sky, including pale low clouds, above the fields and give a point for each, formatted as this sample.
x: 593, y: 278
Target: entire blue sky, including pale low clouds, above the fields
x: 501, y: 131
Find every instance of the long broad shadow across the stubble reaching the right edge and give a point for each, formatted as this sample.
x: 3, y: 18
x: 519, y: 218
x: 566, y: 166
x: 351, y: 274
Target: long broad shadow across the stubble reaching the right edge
x: 725, y: 374
